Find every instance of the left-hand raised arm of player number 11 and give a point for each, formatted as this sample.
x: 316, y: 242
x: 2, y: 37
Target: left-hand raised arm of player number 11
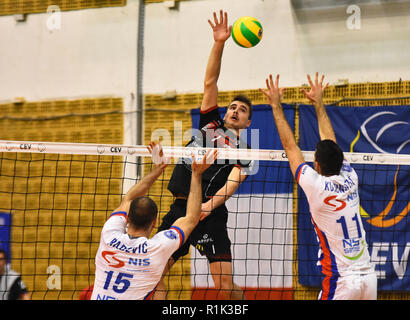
x: 274, y: 97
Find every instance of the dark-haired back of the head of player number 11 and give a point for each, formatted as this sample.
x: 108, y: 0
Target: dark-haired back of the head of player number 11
x: 329, y: 156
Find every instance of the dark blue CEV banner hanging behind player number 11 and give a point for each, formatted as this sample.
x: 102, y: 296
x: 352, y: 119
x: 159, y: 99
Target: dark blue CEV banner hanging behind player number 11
x: 384, y: 189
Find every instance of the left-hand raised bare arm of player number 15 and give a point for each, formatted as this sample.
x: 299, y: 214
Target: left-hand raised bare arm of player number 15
x: 142, y: 187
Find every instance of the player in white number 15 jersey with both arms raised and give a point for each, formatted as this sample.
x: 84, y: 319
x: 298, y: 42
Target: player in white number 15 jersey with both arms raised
x: 129, y: 264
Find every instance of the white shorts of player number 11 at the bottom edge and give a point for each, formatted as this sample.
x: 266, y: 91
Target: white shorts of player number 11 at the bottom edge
x: 351, y: 287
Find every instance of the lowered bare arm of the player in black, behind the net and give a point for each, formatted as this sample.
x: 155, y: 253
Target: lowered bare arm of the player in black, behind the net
x: 235, y: 178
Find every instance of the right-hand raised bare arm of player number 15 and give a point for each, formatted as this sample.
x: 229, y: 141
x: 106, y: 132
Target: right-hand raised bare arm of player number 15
x: 193, y: 211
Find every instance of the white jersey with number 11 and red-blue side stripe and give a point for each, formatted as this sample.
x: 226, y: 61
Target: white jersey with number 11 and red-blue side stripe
x: 335, y: 213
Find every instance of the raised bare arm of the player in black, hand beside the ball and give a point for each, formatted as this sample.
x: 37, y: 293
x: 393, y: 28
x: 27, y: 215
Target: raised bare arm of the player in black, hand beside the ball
x: 221, y: 33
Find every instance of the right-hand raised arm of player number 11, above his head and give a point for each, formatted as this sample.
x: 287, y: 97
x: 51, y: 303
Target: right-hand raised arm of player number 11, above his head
x: 315, y: 95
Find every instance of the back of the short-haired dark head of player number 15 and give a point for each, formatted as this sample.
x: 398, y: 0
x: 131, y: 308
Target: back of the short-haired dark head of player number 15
x: 143, y: 211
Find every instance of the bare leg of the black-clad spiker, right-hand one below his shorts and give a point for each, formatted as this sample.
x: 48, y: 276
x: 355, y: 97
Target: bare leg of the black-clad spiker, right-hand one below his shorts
x: 222, y: 275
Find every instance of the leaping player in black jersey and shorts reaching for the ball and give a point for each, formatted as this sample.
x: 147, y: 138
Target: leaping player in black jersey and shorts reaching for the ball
x: 220, y: 181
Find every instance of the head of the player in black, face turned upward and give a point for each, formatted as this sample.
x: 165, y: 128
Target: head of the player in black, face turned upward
x: 239, y: 113
